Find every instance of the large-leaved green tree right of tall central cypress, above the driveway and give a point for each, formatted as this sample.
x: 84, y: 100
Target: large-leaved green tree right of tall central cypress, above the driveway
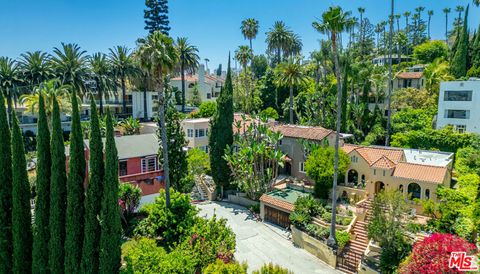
x: 255, y: 162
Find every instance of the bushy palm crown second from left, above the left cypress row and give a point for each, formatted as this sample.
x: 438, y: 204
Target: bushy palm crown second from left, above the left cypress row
x: 36, y: 67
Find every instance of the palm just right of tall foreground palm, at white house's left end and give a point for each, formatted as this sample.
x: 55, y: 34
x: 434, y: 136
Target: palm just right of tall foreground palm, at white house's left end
x: 189, y: 61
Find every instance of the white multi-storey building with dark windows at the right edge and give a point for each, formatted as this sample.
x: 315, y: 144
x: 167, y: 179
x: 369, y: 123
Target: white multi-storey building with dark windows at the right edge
x: 459, y: 105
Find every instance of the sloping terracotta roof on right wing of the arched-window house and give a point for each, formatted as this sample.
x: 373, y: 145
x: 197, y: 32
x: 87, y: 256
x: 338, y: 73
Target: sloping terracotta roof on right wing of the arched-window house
x: 425, y: 173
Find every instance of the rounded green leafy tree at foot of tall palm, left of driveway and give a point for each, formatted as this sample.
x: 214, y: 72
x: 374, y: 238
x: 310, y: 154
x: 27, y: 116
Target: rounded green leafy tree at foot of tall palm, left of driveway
x: 168, y: 224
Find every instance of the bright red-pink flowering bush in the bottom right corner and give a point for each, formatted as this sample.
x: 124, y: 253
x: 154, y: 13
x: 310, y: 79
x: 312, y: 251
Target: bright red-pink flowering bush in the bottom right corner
x: 432, y: 254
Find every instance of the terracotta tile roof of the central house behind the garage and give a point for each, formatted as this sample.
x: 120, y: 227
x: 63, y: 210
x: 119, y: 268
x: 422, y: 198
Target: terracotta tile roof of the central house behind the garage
x: 303, y: 132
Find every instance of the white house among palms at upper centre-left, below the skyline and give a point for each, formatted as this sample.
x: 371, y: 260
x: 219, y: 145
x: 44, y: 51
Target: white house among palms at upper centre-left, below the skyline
x: 208, y: 85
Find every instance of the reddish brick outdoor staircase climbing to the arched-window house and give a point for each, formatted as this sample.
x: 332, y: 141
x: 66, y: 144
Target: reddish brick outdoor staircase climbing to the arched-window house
x: 351, y: 256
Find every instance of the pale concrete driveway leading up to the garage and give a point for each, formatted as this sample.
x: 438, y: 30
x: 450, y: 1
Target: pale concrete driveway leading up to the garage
x: 259, y: 243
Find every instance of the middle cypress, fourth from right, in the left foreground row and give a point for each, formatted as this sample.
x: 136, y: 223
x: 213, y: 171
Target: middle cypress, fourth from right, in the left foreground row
x: 58, y: 196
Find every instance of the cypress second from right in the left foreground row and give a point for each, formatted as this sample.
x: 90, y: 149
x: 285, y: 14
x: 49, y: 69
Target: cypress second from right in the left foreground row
x: 90, y: 256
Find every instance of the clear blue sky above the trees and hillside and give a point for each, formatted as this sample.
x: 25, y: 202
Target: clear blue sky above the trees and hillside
x: 212, y: 25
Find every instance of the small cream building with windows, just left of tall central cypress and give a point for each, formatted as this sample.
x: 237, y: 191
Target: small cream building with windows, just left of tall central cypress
x: 196, y: 133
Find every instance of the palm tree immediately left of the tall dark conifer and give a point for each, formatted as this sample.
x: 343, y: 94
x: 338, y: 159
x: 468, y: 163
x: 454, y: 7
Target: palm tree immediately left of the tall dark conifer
x: 123, y: 67
